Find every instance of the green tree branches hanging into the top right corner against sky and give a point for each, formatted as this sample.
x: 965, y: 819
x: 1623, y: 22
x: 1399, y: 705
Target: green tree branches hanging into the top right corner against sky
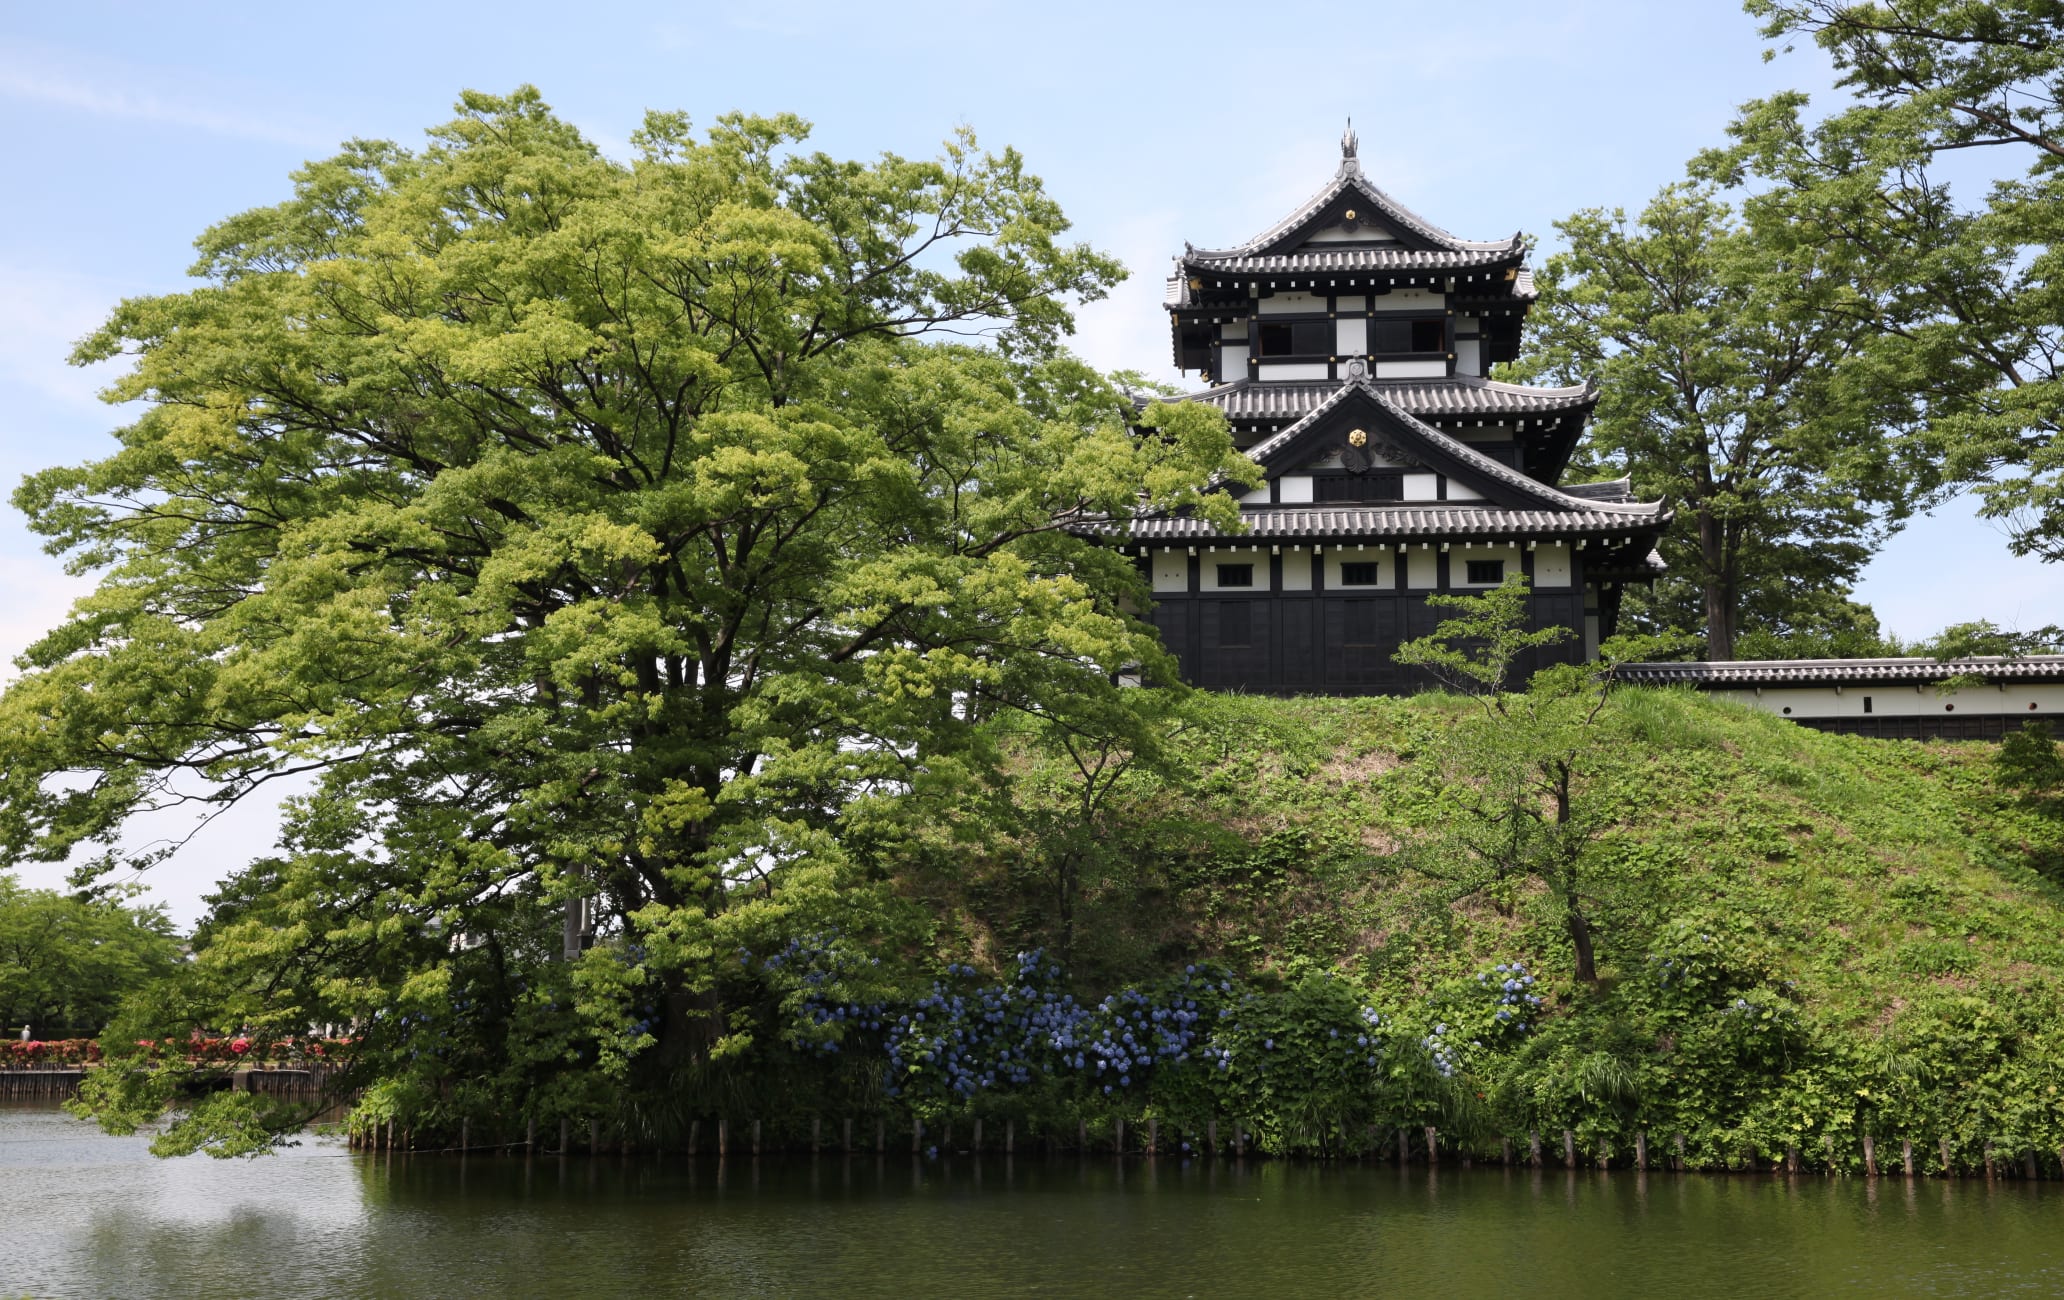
x: 1943, y: 181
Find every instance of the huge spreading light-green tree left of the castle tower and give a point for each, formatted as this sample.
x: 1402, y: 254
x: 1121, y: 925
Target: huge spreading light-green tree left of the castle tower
x: 614, y: 544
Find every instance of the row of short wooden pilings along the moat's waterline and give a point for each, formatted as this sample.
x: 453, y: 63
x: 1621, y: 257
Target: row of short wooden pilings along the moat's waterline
x: 1409, y: 1148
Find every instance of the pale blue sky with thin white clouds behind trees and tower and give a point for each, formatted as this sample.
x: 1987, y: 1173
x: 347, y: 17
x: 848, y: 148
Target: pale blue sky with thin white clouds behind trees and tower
x: 133, y: 127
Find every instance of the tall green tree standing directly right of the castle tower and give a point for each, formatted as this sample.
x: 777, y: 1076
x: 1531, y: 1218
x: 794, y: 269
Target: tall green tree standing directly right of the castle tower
x: 1727, y: 354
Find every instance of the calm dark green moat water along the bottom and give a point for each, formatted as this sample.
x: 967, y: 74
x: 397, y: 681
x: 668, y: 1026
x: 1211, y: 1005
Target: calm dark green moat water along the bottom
x: 98, y: 1216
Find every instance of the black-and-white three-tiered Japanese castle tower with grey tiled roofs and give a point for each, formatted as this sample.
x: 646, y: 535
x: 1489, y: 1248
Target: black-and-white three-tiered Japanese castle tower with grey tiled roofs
x: 1349, y: 346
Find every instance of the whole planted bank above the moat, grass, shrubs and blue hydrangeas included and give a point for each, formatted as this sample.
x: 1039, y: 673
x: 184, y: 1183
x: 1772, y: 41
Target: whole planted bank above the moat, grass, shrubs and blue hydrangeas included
x: 1815, y: 954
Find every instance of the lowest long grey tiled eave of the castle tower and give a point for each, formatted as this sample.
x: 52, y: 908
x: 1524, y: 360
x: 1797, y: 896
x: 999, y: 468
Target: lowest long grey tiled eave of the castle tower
x: 1433, y: 521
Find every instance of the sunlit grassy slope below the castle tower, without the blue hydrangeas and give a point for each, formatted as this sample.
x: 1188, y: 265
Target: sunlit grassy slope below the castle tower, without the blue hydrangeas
x: 1805, y: 940
